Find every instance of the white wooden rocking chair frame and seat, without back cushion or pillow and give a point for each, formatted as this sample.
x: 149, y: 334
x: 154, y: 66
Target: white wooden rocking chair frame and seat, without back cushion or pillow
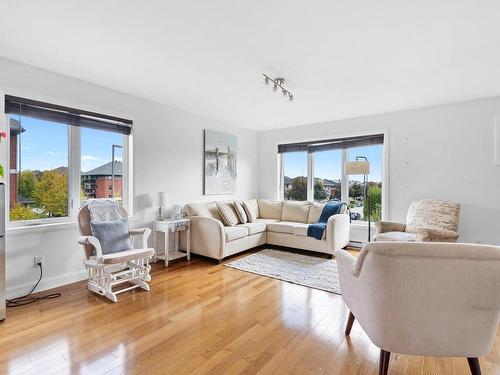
x: 107, y: 271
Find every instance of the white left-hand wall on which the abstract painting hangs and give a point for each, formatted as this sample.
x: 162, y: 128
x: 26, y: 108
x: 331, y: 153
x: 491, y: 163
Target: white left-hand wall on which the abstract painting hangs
x: 168, y: 156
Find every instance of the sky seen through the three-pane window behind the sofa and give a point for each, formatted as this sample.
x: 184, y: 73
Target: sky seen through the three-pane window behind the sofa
x: 328, y: 164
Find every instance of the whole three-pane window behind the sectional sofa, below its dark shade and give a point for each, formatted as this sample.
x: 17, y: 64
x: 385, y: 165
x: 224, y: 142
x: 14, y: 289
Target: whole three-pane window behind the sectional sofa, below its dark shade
x: 325, y: 179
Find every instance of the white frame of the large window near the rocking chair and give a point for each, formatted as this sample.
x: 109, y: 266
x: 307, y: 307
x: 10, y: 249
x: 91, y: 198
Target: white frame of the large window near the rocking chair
x: 74, y: 165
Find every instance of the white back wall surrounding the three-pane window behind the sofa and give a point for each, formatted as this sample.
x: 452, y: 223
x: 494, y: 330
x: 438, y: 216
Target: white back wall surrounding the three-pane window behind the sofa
x: 443, y: 152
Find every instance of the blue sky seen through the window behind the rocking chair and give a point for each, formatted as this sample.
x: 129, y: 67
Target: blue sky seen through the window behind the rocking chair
x: 44, y: 145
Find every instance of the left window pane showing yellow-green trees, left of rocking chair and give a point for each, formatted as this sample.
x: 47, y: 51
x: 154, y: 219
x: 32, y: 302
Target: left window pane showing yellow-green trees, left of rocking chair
x: 38, y: 169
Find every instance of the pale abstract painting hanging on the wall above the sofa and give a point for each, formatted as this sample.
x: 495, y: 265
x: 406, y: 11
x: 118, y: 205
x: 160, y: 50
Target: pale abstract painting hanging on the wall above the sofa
x: 220, y: 163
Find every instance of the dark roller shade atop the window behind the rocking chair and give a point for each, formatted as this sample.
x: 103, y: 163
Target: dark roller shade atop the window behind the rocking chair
x: 71, y: 116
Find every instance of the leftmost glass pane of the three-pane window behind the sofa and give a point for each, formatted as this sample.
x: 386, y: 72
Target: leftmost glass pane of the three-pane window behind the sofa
x: 295, y: 176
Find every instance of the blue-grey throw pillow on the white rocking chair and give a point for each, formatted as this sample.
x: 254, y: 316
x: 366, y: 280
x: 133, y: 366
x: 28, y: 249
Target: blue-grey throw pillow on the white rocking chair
x: 113, y: 235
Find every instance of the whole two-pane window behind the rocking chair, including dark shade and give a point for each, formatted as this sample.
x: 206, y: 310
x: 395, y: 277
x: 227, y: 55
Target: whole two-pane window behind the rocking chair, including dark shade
x: 48, y: 175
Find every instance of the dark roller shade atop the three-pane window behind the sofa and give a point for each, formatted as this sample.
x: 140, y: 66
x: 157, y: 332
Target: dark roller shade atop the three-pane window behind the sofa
x: 332, y: 144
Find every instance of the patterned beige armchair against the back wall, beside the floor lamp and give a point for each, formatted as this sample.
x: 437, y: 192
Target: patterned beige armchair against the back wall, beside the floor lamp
x: 427, y: 220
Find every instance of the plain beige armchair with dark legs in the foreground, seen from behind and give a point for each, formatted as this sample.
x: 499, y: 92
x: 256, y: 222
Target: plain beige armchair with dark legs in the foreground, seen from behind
x: 427, y: 299
